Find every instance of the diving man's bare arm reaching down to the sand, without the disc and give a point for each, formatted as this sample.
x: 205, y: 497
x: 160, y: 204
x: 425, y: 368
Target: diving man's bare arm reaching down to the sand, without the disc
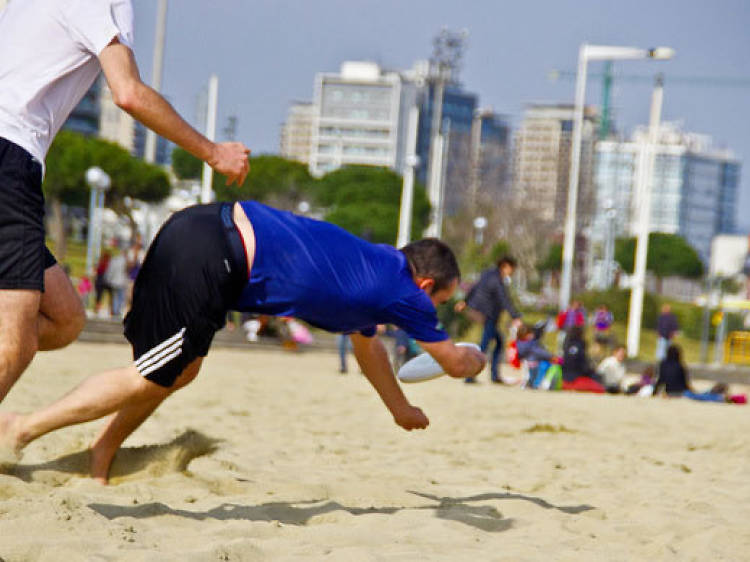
x: 373, y: 359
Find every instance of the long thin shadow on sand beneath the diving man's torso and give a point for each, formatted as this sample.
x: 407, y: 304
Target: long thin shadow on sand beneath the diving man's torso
x: 483, y: 517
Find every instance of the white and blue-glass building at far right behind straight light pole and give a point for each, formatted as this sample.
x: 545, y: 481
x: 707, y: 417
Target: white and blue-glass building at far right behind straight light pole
x: 693, y: 187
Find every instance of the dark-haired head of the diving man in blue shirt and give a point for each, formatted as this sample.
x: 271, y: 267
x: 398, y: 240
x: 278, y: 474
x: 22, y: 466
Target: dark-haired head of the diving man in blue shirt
x: 434, y: 268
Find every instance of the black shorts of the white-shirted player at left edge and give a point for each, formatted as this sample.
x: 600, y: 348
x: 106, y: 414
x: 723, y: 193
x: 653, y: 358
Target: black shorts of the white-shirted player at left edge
x: 23, y: 255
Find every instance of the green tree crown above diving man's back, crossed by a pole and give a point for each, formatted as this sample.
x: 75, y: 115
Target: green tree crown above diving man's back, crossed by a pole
x: 365, y: 200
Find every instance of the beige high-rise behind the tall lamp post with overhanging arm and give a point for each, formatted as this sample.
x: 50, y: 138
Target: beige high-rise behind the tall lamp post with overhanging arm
x: 541, y: 162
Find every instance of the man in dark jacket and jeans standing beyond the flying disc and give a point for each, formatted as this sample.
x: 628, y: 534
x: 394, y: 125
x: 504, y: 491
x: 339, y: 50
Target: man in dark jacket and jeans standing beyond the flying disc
x: 486, y: 301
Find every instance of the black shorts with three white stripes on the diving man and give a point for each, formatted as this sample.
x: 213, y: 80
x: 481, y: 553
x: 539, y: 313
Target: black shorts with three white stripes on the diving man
x: 193, y: 273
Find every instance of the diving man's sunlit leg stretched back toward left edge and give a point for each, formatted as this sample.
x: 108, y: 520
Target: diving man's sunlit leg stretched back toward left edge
x: 94, y: 398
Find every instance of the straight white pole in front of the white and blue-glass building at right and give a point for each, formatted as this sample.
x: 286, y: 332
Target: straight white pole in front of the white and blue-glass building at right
x: 643, y: 189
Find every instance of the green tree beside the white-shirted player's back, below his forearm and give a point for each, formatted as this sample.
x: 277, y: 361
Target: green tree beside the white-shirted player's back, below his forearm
x: 71, y: 154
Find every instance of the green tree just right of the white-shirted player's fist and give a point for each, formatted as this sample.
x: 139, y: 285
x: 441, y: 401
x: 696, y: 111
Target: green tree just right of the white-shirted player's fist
x: 272, y: 179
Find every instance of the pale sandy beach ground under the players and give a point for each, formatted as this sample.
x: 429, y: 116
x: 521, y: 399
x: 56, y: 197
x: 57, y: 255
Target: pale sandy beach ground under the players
x: 275, y: 456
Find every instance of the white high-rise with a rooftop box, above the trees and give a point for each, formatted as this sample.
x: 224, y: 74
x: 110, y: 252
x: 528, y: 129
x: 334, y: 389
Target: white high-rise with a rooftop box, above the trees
x: 357, y: 116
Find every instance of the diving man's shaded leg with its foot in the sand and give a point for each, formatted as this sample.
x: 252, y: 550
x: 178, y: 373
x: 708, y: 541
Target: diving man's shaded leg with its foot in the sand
x: 125, y: 421
